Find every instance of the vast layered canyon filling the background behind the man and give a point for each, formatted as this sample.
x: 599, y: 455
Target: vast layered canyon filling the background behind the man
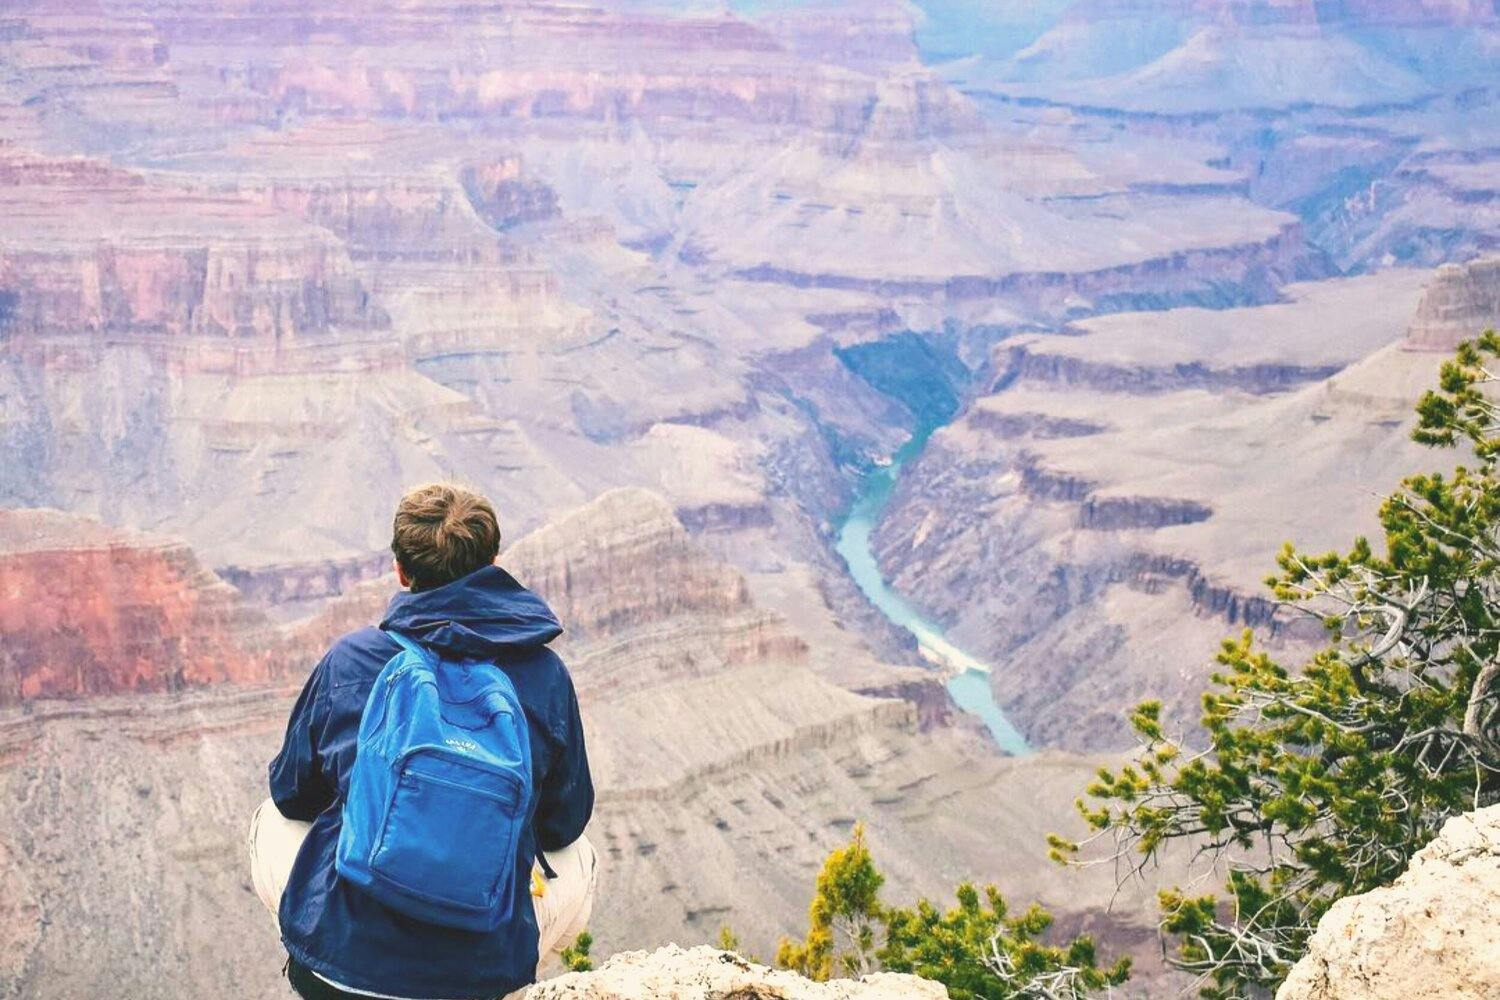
x: 1120, y: 295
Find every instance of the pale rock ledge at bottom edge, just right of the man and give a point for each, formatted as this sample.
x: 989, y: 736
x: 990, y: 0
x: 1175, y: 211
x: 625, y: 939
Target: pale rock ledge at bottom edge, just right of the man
x: 704, y: 974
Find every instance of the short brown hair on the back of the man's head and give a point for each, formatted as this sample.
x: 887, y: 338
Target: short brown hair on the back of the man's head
x: 443, y: 533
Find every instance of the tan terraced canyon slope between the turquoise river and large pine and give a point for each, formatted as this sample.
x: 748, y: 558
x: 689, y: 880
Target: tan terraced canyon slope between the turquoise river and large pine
x: 1102, y: 519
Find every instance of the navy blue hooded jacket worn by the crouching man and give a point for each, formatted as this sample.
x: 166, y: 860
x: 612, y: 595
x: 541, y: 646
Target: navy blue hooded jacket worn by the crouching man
x: 347, y: 936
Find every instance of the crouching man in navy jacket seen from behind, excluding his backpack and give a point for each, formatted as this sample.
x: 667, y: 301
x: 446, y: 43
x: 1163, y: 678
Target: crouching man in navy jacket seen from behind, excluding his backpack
x: 343, y: 942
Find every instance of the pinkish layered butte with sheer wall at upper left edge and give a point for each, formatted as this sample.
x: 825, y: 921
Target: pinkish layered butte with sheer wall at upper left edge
x: 178, y: 263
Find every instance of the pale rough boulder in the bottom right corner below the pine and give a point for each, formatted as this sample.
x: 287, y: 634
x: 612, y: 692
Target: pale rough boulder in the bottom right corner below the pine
x: 1429, y: 936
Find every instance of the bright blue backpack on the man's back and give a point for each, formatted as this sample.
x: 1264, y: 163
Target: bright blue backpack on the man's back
x: 440, y: 791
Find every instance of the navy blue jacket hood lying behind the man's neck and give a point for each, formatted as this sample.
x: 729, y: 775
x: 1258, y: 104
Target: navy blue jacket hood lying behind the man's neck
x: 478, y: 617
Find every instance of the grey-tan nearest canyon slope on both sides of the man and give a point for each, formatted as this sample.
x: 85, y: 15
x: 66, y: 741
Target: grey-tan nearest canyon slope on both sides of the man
x: 727, y: 764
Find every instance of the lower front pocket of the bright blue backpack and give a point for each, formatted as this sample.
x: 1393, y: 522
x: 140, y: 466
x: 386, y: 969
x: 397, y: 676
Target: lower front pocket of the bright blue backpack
x: 451, y: 833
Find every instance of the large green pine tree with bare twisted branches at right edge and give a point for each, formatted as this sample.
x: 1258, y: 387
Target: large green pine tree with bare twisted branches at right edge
x: 1324, y: 782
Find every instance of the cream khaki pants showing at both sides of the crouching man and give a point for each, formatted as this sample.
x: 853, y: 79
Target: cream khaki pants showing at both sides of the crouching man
x: 563, y: 908
